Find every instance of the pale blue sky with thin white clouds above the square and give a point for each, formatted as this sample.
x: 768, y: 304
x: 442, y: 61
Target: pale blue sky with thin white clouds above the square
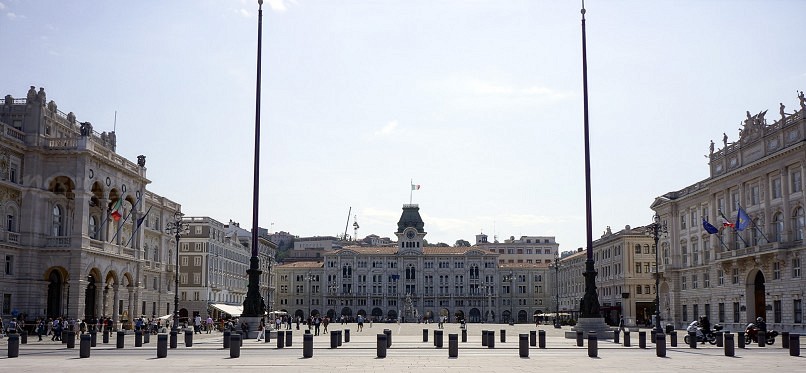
x: 480, y: 102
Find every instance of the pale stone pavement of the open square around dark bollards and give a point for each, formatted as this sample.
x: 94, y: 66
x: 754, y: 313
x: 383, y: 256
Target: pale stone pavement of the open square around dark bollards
x: 408, y: 353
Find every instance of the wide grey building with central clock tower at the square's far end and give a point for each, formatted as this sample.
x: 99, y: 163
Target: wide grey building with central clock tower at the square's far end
x: 411, y: 282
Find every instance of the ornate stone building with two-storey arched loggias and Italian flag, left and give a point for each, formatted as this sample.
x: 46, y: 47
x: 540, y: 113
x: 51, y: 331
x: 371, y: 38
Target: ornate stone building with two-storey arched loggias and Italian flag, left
x: 70, y: 206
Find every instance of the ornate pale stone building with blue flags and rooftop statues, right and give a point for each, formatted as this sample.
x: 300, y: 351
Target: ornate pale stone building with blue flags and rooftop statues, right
x: 737, y: 275
